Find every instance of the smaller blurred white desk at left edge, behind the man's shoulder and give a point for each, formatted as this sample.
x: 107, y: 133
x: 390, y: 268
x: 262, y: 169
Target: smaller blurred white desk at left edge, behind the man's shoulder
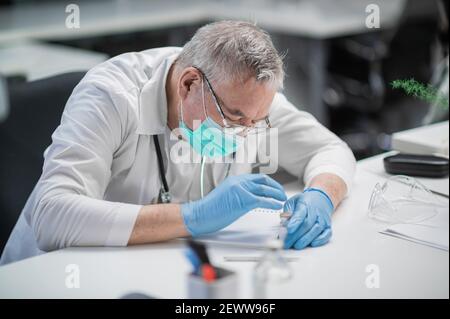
x: 37, y: 60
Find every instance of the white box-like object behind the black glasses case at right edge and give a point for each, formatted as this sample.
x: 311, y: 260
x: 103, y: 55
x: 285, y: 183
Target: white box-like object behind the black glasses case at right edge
x: 430, y: 139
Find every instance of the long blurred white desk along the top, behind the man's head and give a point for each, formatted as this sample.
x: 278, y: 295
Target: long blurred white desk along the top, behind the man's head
x: 320, y: 19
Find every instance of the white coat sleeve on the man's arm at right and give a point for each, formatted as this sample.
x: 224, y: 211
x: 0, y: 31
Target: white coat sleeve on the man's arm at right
x: 306, y: 148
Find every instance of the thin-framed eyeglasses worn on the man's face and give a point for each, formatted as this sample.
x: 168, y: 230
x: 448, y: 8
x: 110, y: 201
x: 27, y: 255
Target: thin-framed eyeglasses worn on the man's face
x: 234, y: 128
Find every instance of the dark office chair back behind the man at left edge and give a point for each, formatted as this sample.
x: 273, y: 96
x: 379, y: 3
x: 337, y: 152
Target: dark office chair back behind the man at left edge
x: 35, y: 110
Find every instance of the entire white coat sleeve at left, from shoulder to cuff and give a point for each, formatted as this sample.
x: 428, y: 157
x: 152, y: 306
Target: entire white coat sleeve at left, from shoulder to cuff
x: 68, y: 208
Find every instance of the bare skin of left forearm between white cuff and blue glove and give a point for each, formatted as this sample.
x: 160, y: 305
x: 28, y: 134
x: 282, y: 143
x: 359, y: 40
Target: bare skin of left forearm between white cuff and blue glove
x: 158, y: 223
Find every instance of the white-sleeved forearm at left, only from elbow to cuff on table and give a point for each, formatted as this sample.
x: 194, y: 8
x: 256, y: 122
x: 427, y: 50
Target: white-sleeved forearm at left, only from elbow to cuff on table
x: 61, y: 219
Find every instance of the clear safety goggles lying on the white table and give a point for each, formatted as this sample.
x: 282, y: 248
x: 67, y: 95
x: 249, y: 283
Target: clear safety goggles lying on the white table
x: 403, y: 199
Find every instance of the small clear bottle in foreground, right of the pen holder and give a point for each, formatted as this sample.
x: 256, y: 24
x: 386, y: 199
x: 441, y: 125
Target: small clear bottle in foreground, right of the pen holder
x: 271, y: 273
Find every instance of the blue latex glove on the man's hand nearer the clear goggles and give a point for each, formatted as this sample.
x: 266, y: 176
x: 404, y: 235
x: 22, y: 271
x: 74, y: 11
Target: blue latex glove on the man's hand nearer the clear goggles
x: 310, y: 223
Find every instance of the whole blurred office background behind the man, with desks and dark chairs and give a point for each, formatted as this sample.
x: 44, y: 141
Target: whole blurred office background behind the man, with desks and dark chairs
x: 339, y: 64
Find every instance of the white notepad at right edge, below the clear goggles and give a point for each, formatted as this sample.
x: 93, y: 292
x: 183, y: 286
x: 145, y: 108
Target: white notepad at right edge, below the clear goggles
x: 433, y: 233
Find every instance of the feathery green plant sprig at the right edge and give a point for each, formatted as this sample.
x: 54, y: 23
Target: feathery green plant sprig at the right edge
x: 421, y: 91
